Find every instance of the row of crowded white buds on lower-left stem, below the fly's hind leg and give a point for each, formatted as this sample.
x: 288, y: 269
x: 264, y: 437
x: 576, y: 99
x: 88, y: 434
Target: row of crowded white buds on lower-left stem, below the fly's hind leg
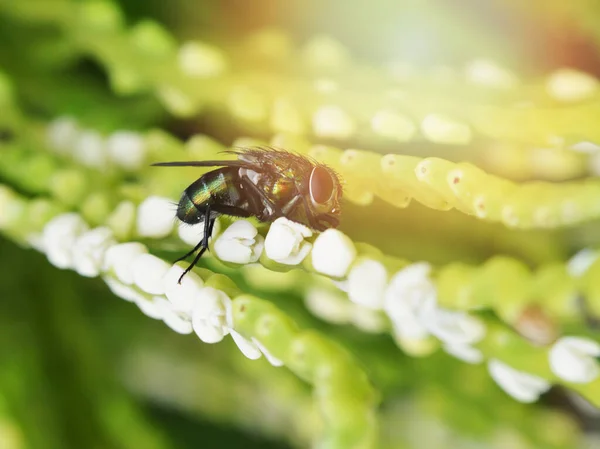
x: 135, y: 275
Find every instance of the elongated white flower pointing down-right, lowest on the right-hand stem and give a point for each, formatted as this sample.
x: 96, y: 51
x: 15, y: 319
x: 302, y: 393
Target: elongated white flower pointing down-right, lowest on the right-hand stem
x: 522, y: 386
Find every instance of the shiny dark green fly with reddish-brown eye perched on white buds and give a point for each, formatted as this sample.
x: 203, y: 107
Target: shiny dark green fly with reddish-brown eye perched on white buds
x: 265, y: 183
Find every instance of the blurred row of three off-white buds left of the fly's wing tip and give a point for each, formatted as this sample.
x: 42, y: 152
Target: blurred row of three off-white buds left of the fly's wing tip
x: 124, y: 149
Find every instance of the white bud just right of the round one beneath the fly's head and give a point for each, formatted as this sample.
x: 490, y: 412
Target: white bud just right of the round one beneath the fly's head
x: 367, y: 281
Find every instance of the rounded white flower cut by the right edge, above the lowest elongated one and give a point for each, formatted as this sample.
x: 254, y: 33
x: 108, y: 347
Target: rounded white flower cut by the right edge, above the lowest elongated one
x: 575, y: 359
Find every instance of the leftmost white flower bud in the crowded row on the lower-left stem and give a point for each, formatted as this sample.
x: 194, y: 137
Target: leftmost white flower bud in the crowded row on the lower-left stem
x: 59, y: 237
